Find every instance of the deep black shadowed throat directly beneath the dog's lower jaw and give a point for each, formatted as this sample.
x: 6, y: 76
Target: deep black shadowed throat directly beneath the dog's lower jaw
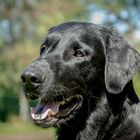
x: 69, y: 130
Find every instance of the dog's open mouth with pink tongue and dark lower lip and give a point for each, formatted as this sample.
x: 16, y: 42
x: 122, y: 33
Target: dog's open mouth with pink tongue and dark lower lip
x: 48, y: 111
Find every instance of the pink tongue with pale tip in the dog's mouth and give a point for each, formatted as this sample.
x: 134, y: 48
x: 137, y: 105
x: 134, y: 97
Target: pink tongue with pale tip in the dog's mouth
x: 43, y: 111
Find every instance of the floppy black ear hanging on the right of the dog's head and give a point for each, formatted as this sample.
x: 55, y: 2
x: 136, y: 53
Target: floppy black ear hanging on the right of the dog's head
x: 122, y: 62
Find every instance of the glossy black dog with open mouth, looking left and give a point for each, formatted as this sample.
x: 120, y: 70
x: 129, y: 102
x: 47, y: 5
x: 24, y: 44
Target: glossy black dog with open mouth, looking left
x: 83, y: 79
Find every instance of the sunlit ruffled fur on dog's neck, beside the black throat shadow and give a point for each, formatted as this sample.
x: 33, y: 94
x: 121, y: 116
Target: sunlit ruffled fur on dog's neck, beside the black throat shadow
x: 102, y: 123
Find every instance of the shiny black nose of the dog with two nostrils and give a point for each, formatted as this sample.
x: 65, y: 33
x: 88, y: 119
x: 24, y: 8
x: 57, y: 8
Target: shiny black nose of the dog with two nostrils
x: 32, y: 77
